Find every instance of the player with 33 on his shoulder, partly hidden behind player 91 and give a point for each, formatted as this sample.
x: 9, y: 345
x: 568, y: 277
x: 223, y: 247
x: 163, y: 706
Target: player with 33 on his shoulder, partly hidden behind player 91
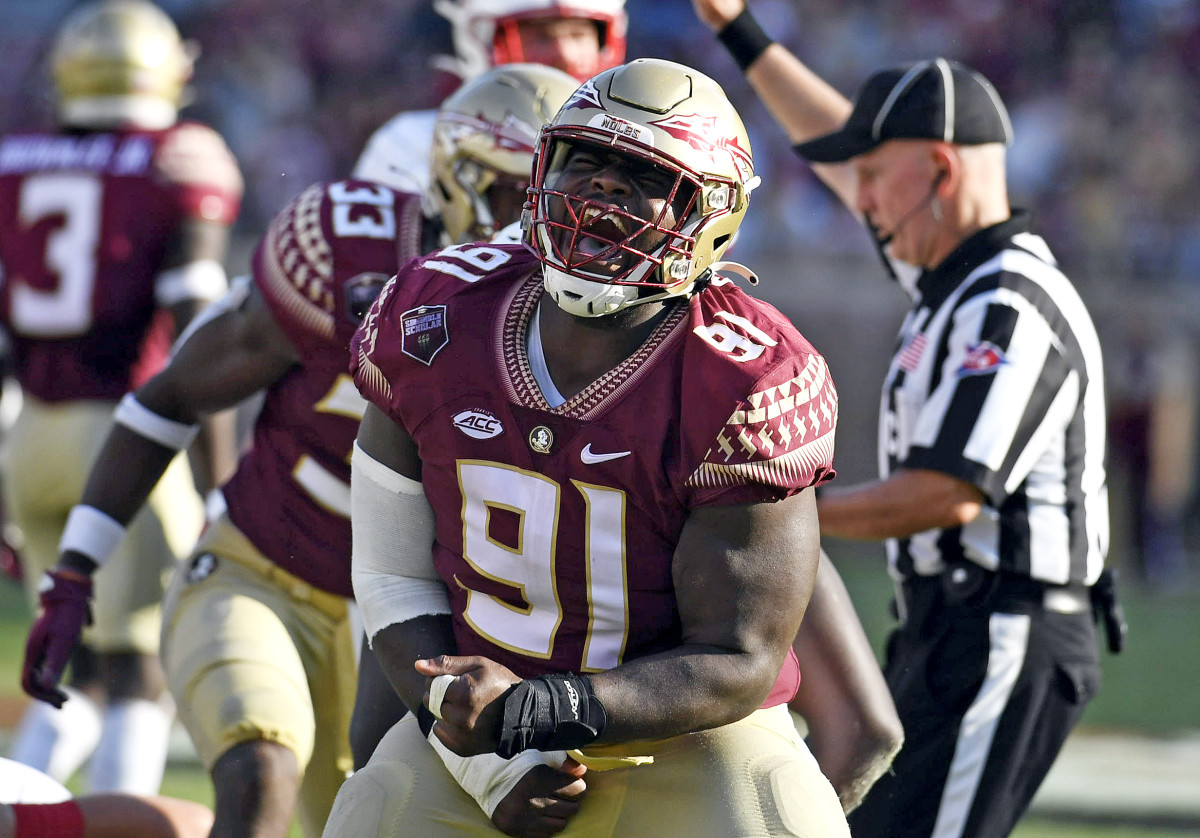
x: 257, y: 642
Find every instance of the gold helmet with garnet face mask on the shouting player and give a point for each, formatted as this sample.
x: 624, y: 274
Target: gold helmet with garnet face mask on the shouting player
x: 598, y: 258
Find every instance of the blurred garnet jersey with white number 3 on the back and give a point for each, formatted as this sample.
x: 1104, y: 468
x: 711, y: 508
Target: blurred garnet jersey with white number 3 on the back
x: 85, y: 226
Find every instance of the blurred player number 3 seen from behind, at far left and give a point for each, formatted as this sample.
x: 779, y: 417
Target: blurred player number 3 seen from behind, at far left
x: 113, y: 230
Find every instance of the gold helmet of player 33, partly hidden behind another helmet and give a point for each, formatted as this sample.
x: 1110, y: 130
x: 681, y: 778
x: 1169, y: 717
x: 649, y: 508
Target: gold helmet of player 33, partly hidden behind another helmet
x: 483, y: 147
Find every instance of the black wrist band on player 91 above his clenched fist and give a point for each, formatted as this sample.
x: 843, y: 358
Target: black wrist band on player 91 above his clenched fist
x: 551, y: 713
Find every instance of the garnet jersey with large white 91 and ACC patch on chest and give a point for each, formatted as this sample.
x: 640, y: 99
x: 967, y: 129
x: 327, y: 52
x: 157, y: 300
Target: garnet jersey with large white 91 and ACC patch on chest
x: 556, y: 526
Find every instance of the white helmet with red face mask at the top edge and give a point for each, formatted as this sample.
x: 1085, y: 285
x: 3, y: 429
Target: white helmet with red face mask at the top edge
x: 485, y: 32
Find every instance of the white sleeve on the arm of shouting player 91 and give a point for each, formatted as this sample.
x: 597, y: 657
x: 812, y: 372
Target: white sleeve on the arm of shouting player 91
x: 392, y: 561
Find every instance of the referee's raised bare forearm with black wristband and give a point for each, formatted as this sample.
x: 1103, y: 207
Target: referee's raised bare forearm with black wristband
x: 803, y: 104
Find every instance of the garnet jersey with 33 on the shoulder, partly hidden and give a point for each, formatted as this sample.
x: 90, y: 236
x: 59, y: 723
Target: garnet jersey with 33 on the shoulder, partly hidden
x: 320, y: 266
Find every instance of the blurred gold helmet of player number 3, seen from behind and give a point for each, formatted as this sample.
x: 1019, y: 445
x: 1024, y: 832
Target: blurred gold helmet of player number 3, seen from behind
x: 121, y: 63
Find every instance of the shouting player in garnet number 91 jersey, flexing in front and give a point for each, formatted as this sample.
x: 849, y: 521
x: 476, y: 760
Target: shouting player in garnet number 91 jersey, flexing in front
x: 584, y: 513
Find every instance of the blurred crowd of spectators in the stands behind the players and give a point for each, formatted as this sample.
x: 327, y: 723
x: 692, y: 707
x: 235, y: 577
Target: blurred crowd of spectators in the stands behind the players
x: 1102, y: 94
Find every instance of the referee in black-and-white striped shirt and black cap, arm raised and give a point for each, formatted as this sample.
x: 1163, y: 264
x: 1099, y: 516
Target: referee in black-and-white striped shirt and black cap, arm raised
x: 993, y: 496
